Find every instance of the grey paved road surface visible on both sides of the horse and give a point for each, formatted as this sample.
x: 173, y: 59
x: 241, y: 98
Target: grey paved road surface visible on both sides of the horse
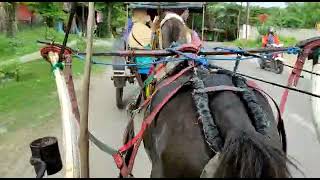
x: 108, y: 123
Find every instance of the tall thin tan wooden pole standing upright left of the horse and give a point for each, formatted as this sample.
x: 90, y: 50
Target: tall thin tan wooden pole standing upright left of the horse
x: 84, y: 134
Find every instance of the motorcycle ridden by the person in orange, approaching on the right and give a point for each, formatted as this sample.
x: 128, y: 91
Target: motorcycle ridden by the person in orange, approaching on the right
x: 274, y: 62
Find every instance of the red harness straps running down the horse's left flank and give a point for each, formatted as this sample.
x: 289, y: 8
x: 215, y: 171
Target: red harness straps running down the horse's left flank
x: 136, y: 141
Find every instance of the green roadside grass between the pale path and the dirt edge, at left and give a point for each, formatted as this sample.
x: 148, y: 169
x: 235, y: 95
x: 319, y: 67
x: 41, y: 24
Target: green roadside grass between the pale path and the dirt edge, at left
x: 33, y: 100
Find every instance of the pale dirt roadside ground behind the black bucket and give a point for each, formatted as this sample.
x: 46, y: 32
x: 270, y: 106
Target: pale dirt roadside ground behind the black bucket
x: 15, y: 149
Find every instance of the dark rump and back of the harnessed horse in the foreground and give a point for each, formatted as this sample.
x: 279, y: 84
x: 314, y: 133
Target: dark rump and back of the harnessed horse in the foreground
x: 270, y: 137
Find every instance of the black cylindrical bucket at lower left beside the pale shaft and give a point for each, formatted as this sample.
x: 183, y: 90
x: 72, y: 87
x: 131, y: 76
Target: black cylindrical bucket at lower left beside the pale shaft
x: 47, y: 150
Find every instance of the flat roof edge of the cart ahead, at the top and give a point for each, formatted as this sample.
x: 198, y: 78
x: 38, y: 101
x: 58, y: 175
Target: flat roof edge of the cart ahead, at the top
x: 192, y: 6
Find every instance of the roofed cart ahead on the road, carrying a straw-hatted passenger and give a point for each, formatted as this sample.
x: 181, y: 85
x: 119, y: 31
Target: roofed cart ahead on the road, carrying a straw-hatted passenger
x: 123, y: 74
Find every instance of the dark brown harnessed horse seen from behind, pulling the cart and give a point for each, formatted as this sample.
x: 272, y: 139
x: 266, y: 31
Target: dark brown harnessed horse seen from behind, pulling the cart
x: 176, y: 141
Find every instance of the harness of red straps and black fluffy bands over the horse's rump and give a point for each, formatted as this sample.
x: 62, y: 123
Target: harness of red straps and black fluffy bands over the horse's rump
x: 192, y: 73
